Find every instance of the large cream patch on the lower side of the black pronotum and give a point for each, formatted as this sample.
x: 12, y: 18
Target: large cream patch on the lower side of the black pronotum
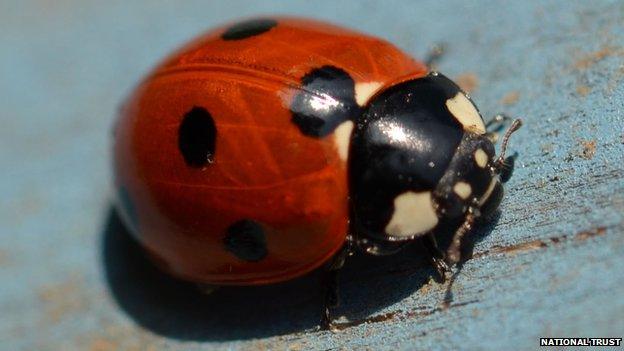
x: 413, y: 214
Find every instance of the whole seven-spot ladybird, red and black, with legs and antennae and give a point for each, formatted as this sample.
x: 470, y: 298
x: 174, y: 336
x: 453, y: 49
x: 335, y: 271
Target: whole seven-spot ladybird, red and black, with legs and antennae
x: 267, y: 148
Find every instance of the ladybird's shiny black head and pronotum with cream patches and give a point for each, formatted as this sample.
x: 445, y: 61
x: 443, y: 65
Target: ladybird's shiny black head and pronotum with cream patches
x: 420, y: 162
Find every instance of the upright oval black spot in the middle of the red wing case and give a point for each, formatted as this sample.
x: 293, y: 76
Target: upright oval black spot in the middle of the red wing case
x: 197, y: 137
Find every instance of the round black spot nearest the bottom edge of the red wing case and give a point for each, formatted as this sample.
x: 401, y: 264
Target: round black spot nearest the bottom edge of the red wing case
x: 245, y: 239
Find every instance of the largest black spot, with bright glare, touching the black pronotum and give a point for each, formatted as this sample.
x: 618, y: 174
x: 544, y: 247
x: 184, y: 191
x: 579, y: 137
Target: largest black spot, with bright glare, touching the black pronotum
x: 326, y: 99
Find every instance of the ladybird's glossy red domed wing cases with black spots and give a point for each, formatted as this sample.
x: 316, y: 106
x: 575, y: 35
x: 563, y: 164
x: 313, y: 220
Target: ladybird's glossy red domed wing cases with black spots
x: 262, y: 201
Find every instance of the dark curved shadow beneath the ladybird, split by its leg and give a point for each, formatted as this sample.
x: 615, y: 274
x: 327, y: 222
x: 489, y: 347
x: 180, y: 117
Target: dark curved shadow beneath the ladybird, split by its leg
x: 178, y: 310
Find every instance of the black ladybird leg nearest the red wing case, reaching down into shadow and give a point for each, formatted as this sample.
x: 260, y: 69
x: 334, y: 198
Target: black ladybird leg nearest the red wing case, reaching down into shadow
x: 330, y: 283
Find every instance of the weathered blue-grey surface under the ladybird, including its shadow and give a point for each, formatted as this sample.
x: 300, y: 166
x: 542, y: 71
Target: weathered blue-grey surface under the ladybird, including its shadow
x: 550, y: 266
